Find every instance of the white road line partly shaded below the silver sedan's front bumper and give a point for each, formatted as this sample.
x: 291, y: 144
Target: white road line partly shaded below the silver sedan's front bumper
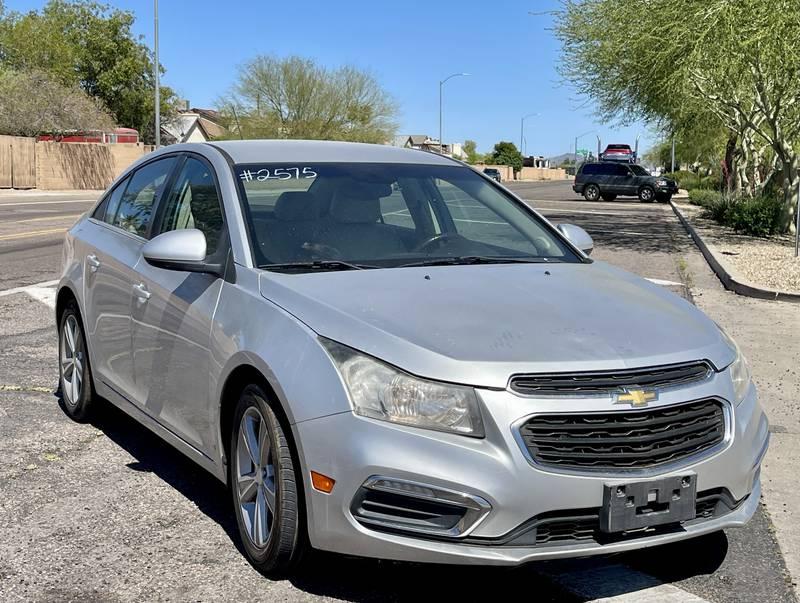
x: 620, y: 584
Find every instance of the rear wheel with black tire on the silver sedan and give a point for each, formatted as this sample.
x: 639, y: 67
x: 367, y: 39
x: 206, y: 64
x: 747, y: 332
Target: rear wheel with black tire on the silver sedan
x: 73, y: 361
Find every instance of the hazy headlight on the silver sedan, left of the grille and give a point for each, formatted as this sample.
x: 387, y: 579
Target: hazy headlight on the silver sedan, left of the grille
x: 380, y: 391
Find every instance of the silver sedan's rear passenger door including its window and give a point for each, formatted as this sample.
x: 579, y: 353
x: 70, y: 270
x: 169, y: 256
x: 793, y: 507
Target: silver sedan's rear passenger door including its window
x: 116, y: 233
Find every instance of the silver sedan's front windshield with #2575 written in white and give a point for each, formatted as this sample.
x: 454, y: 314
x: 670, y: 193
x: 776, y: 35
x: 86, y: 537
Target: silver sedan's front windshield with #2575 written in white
x: 338, y: 215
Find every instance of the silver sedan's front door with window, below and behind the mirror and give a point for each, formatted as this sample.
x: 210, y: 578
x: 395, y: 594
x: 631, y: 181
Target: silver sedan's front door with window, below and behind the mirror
x: 172, y: 312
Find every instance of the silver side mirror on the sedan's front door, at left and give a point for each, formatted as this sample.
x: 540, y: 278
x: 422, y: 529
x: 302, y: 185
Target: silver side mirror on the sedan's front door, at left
x: 180, y: 250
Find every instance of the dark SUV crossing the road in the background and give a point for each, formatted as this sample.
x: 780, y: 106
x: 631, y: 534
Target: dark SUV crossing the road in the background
x: 607, y: 180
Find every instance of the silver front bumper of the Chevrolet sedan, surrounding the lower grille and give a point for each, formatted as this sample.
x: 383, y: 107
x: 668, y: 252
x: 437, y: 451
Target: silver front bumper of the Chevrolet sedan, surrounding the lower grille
x: 352, y: 449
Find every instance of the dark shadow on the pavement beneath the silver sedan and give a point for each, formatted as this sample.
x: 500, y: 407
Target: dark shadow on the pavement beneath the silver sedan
x: 358, y: 579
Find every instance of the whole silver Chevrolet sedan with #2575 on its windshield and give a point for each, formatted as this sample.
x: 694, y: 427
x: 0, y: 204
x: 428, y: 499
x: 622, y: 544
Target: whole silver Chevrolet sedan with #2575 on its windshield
x: 385, y: 353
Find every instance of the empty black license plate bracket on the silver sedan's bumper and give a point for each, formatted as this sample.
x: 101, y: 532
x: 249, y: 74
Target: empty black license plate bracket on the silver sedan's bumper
x: 637, y: 505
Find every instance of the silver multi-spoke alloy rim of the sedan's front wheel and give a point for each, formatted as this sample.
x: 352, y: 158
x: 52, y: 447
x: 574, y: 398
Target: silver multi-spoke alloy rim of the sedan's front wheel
x: 255, y: 477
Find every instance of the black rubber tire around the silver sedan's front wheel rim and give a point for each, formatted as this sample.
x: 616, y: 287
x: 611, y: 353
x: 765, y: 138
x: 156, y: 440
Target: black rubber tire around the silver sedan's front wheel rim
x: 286, y: 542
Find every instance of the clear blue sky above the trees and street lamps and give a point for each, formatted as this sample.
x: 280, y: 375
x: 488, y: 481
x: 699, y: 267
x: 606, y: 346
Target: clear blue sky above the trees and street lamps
x: 409, y: 46
